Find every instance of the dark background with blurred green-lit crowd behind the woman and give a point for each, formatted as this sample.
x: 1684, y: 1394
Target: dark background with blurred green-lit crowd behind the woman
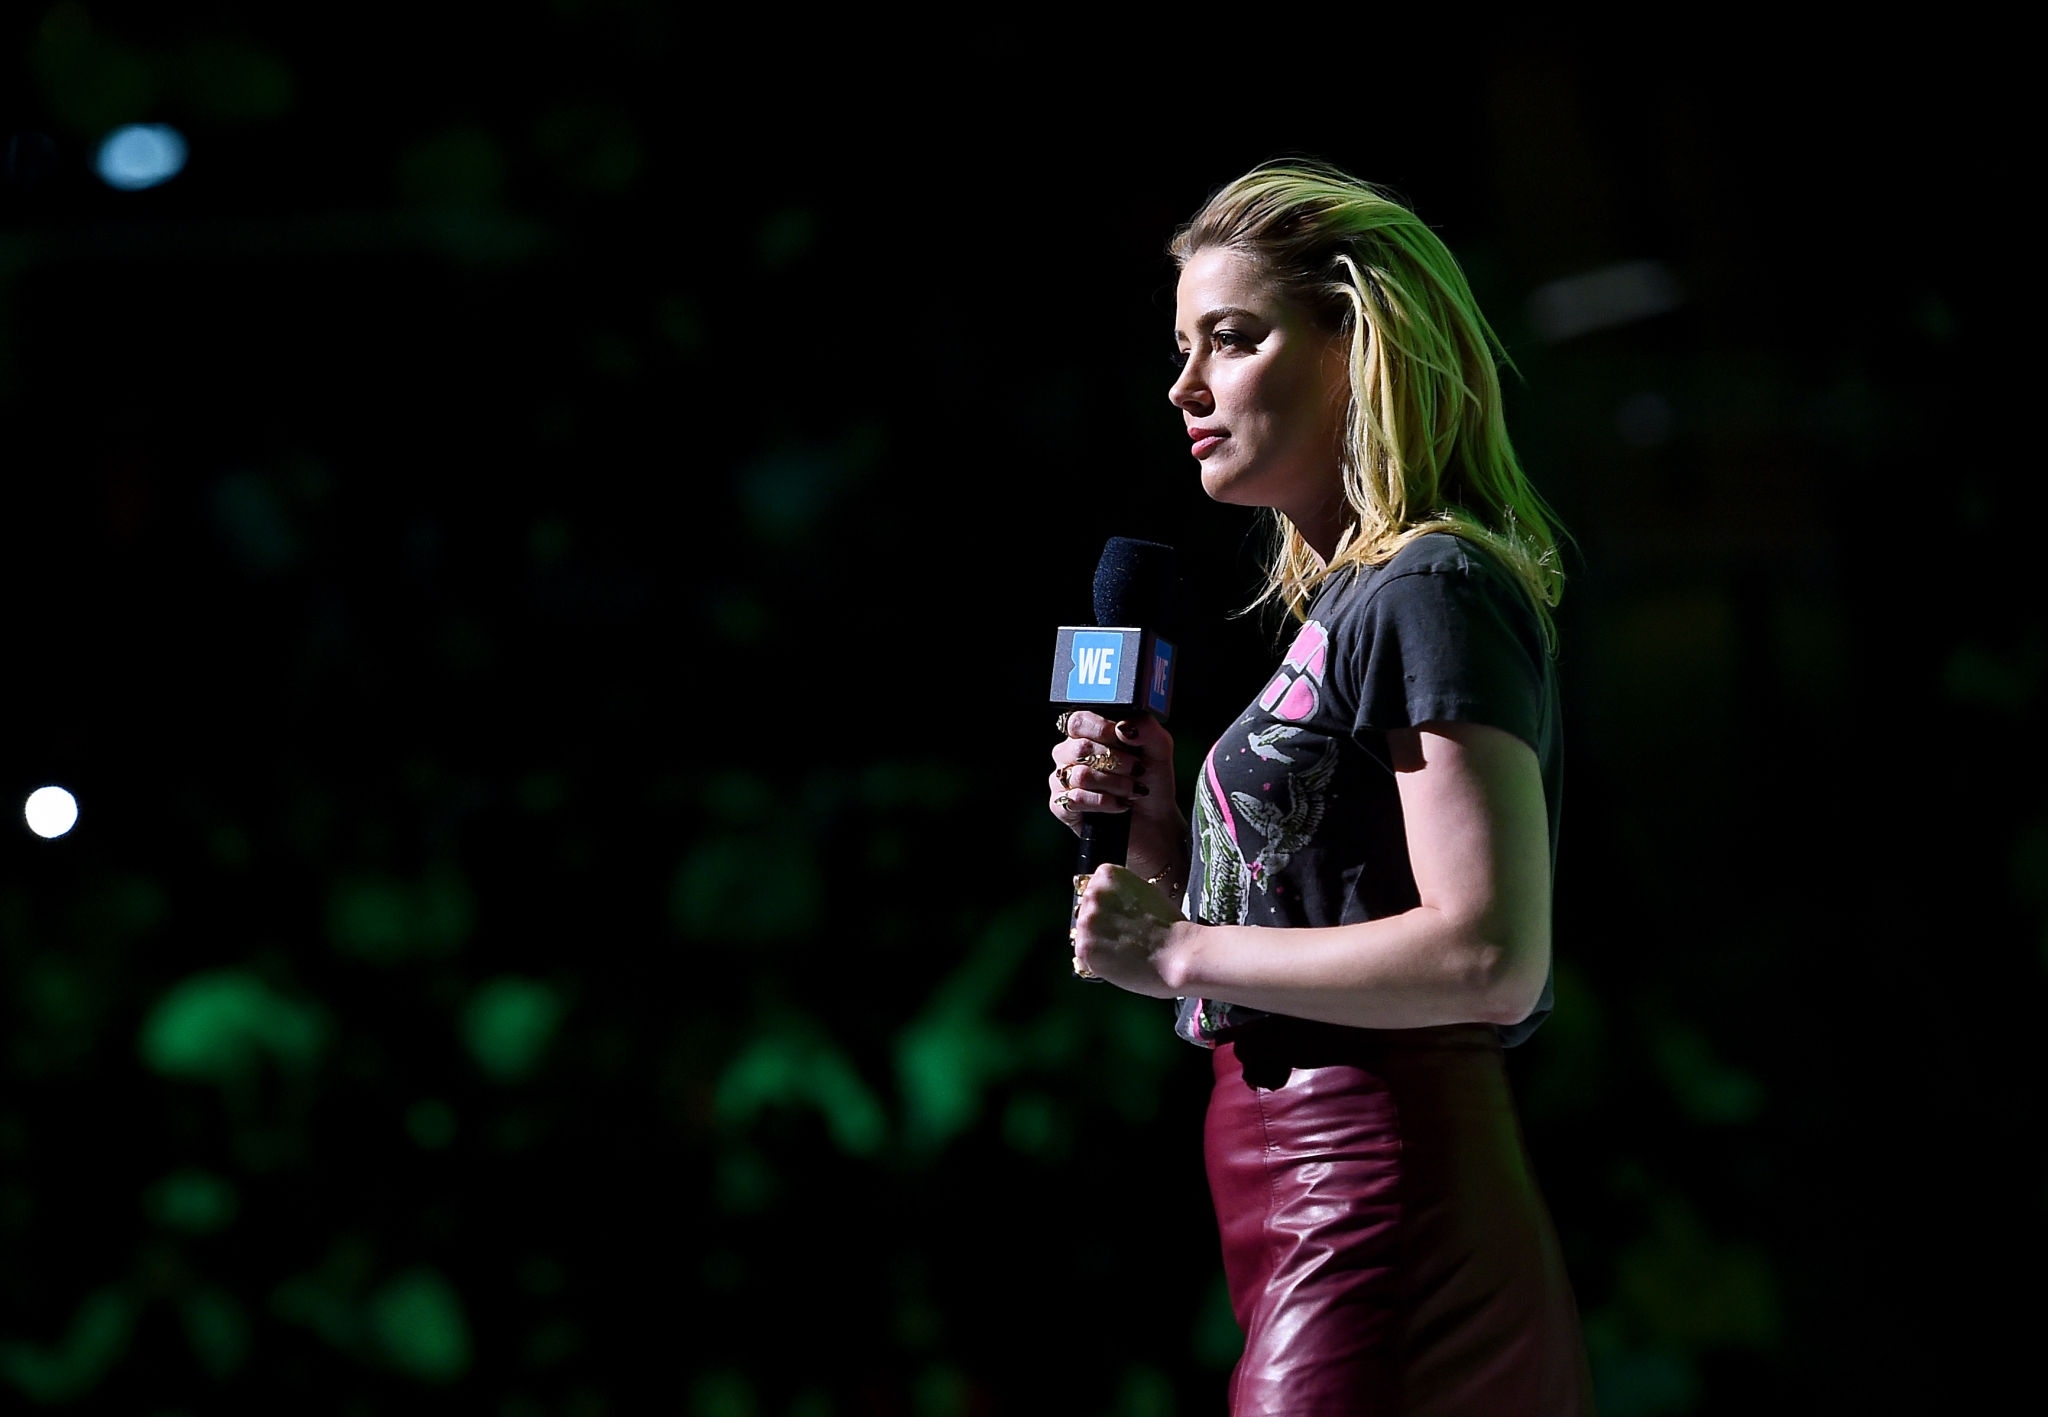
x: 538, y: 556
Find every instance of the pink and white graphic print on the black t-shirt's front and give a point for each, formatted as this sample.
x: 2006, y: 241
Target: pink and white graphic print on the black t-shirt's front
x: 1283, y: 820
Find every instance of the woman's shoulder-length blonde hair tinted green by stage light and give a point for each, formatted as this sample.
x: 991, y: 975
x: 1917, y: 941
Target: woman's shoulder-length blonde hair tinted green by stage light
x: 1426, y: 445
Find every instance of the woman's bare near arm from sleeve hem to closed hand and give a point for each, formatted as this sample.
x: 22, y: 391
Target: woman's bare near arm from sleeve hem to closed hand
x: 1476, y: 949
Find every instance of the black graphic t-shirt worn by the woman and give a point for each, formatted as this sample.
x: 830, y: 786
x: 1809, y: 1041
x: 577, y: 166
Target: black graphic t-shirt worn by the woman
x: 1297, y: 818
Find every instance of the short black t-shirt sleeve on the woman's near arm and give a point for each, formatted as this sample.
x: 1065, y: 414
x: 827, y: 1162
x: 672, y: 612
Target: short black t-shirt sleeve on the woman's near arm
x: 1447, y: 638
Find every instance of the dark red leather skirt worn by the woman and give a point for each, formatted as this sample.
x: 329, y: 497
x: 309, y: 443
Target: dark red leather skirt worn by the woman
x: 1383, y: 1240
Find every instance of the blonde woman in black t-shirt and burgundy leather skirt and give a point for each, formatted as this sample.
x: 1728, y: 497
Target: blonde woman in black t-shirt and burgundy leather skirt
x: 1367, y: 879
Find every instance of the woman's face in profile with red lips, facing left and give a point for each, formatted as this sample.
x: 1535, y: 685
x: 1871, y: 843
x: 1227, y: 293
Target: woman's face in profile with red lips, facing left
x: 1263, y: 392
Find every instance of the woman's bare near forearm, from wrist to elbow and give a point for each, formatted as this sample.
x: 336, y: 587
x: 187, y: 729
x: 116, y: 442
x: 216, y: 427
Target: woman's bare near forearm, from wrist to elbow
x: 1406, y: 972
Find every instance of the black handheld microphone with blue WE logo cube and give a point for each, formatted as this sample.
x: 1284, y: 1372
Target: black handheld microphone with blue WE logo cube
x: 1121, y: 667
